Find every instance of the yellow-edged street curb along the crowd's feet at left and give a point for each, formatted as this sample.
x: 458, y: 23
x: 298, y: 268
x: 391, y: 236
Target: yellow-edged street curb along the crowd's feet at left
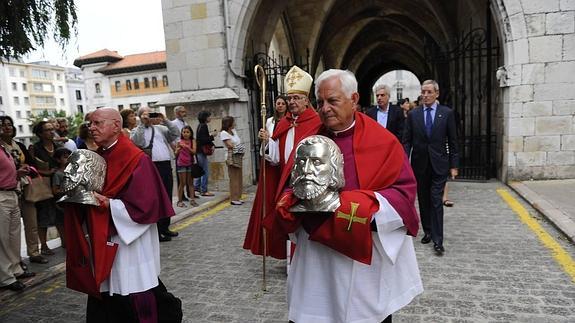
x: 59, y: 269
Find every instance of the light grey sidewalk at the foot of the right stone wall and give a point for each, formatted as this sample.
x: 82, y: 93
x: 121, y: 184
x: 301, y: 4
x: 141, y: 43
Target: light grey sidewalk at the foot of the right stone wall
x: 555, y: 199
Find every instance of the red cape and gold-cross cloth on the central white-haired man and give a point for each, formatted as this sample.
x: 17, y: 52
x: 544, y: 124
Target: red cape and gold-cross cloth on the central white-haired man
x: 380, y: 166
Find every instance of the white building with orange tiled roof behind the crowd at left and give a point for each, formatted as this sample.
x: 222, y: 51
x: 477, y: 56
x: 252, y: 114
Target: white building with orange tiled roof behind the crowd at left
x: 130, y: 81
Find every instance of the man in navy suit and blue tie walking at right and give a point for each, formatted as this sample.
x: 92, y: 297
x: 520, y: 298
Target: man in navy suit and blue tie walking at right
x: 427, y: 131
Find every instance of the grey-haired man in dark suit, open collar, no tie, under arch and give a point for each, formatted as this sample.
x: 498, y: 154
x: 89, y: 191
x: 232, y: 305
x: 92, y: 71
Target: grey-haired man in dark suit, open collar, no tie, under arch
x: 389, y: 116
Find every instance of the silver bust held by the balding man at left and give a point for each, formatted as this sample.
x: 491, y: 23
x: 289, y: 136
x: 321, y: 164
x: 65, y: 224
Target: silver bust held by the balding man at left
x: 85, y: 173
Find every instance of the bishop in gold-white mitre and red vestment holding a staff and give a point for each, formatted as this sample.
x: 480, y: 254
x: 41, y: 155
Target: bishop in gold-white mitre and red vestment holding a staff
x: 300, y: 121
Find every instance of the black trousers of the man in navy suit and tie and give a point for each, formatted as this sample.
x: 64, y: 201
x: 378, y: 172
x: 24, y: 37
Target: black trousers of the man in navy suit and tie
x: 430, y: 186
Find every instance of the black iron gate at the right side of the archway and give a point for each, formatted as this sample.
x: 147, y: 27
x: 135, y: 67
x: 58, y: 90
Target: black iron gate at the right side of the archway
x: 469, y: 73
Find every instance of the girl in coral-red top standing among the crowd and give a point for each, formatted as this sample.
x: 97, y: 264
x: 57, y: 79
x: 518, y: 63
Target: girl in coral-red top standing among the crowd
x: 185, y: 151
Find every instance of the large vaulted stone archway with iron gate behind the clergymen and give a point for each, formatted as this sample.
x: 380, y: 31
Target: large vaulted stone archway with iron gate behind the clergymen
x: 453, y: 42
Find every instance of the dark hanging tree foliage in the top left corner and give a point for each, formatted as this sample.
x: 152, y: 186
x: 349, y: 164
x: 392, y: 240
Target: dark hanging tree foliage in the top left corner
x: 26, y: 24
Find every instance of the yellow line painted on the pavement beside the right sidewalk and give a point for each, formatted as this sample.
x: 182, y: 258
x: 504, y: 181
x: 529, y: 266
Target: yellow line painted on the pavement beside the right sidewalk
x: 559, y: 254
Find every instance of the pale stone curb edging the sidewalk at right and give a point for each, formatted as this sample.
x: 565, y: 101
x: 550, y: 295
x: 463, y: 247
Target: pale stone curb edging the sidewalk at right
x: 558, y: 218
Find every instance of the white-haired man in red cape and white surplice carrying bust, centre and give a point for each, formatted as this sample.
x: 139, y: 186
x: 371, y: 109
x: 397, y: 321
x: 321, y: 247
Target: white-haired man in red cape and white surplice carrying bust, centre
x: 356, y: 264
